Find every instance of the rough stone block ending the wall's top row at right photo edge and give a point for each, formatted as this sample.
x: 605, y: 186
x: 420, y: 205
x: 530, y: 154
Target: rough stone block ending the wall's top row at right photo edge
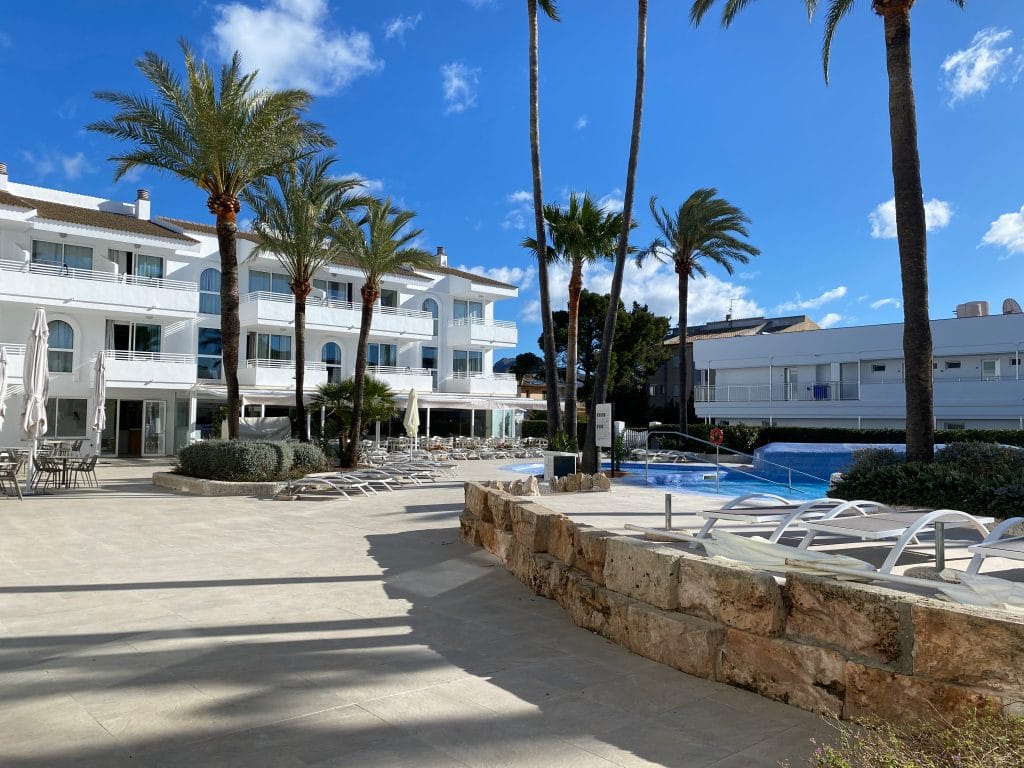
x: 973, y: 648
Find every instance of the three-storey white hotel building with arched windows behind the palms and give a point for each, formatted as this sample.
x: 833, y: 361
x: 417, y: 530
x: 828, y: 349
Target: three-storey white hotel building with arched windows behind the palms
x: 144, y: 291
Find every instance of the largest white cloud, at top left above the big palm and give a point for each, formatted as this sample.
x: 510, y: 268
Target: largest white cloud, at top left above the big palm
x: 291, y: 46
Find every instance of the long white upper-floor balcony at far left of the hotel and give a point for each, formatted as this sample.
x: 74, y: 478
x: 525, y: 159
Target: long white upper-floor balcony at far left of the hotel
x: 52, y: 285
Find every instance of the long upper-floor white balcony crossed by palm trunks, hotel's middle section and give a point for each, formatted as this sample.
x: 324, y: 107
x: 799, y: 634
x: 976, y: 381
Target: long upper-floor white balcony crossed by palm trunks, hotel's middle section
x: 266, y: 309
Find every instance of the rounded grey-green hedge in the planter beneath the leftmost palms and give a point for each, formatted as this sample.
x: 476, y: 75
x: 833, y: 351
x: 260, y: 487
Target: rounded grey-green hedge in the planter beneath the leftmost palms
x: 258, y: 461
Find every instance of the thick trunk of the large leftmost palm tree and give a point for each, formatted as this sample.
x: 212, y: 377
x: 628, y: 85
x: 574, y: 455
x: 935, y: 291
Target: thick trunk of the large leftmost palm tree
x: 226, y: 207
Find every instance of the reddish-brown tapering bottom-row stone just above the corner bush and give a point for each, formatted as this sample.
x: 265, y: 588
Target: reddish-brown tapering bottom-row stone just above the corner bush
x: 902, y: 699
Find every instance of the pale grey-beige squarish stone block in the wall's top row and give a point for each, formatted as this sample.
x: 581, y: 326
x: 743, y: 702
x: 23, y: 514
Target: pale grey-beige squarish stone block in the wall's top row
x: 643, y: 572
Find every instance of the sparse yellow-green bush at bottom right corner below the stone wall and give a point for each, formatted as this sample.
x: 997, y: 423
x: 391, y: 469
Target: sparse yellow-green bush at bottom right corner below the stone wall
x: 985, y: 741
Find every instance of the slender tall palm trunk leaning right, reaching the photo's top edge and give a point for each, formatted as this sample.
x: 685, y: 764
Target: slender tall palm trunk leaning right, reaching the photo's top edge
x: 605, y: 362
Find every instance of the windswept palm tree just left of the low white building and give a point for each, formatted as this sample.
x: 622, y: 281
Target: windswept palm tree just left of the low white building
x: 704, y: 229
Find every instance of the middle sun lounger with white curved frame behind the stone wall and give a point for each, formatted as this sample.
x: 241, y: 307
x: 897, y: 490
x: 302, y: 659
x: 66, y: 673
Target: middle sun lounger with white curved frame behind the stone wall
x: 904, y: 527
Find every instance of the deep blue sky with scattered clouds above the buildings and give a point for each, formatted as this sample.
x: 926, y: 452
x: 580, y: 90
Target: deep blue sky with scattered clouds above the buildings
x: 428, y: 100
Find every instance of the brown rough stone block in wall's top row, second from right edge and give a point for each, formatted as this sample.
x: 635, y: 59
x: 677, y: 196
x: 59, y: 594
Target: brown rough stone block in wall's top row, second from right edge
x: 862, y: 621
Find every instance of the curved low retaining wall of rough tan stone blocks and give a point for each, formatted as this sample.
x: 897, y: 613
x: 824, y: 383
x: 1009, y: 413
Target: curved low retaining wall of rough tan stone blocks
x: 812, y: 642
